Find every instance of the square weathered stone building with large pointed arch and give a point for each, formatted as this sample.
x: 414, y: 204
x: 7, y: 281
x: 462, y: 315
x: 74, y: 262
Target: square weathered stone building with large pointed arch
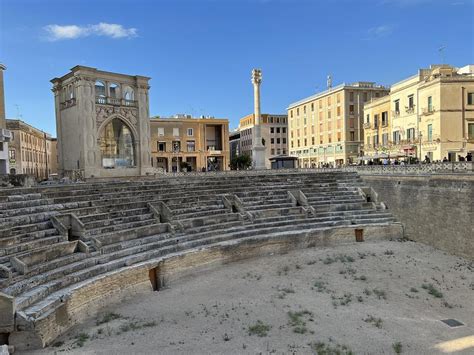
x: 102, y: 122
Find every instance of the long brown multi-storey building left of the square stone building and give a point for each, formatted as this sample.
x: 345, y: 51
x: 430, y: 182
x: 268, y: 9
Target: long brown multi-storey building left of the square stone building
x: 31, y: 150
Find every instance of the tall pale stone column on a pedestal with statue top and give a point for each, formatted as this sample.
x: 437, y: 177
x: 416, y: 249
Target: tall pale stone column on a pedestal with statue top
x: 258, y: 149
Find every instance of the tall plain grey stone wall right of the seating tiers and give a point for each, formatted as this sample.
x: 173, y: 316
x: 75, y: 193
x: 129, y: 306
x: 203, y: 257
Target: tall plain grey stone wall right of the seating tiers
x: 436, y: 209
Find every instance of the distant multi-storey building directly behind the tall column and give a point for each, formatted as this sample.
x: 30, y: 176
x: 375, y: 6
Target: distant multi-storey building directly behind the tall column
x: 274, y: 129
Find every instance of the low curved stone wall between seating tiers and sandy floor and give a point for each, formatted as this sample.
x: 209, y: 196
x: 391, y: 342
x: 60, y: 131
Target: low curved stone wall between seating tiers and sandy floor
x: 85, y: 299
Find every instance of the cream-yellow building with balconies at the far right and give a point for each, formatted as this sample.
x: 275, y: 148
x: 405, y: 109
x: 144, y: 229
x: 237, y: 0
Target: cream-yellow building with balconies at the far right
x: 431, y: 114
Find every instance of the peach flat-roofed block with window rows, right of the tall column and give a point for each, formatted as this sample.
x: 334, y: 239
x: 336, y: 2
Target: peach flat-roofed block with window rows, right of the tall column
x: 326, y: 128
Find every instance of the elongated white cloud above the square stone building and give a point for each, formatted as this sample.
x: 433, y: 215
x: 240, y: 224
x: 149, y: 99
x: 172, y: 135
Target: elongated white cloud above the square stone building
x: 112, y: 30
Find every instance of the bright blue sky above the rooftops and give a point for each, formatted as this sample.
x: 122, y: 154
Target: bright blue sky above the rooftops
x: 199, y: 53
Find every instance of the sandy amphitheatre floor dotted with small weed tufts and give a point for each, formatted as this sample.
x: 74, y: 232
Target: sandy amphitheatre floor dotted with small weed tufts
x: 363, y: 298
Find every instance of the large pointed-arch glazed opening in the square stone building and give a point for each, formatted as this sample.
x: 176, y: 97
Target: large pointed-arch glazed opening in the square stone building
x: 117, y: 145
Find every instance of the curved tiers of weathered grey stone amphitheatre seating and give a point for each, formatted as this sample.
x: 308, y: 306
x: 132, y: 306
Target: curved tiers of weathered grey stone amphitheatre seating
x: 54, y: 241
